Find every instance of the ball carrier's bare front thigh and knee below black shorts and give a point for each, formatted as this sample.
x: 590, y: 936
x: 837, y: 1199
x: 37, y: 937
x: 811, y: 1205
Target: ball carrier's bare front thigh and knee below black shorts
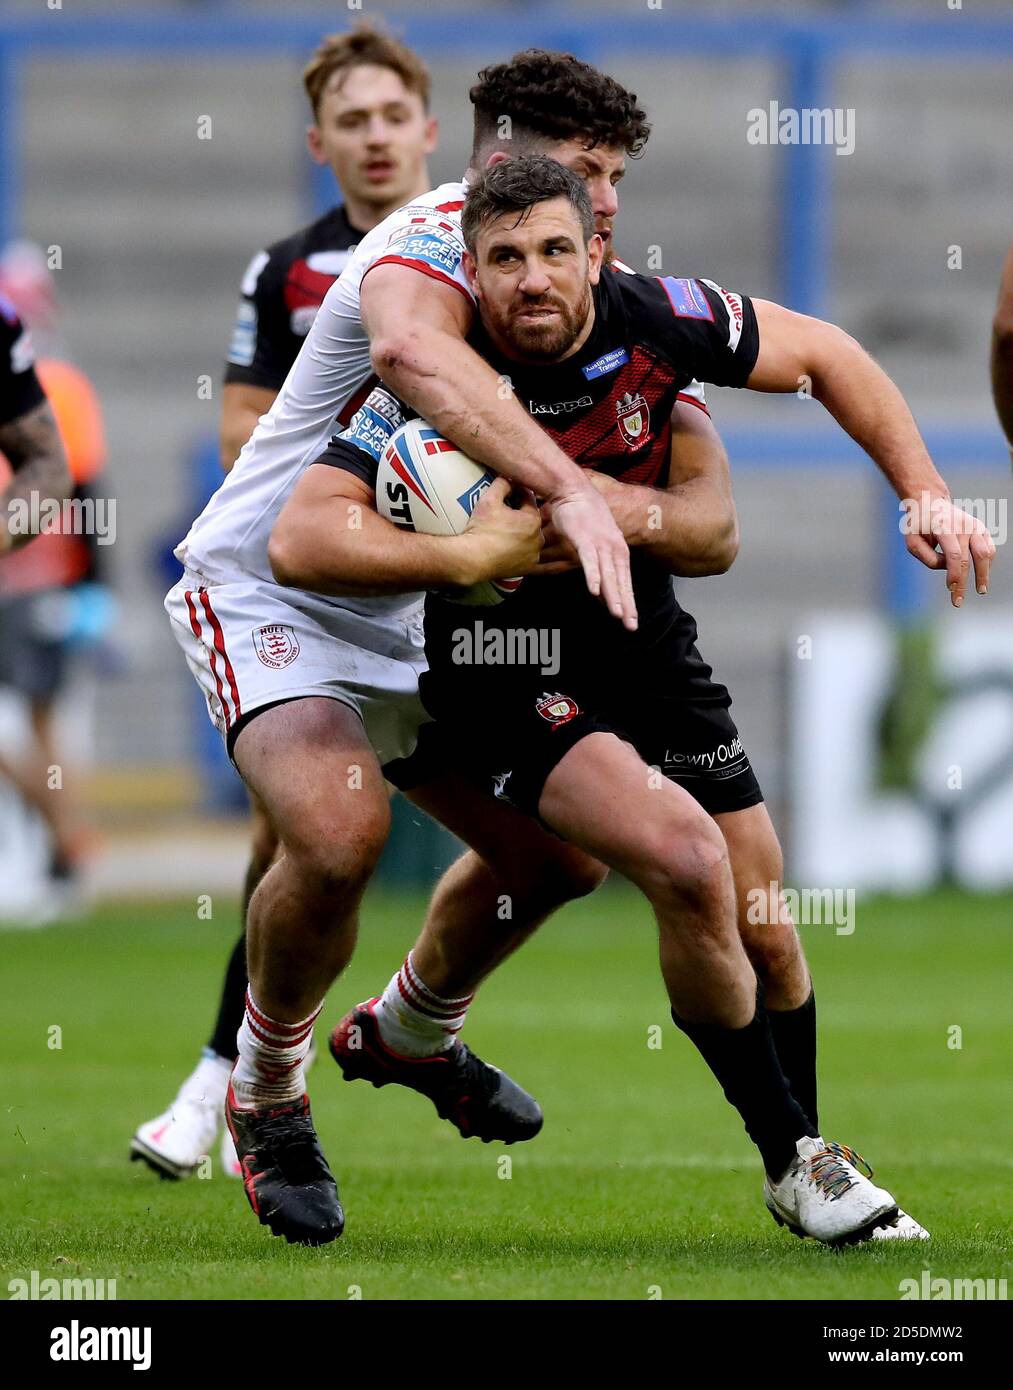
x: 607, y: 800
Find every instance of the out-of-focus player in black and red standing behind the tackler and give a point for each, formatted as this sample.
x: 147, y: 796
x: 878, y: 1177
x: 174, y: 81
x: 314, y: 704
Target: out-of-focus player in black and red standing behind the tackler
x: 370, y: 124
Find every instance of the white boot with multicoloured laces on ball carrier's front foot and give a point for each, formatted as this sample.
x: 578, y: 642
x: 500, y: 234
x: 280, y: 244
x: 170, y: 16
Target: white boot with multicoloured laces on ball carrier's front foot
x: 825, y: 1196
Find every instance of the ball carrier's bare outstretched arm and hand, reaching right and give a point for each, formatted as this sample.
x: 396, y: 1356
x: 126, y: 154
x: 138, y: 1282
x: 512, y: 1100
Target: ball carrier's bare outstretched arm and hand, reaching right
x: 800, y: 351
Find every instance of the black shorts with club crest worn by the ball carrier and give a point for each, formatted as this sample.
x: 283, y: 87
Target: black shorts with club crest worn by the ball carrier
x: 508, y: 733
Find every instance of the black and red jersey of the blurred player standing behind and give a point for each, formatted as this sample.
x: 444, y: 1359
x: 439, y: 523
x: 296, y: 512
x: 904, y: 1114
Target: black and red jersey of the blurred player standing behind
x: 283, y: 290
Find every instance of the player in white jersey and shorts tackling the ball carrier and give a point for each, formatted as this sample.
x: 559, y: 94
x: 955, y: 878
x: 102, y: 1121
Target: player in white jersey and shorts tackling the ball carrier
x: 334, y: 682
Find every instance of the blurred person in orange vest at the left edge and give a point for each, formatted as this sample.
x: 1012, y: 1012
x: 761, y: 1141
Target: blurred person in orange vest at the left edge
x: 51, y: 598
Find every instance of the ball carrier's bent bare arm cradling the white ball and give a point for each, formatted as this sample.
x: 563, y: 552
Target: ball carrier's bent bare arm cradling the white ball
x: 331, y: 540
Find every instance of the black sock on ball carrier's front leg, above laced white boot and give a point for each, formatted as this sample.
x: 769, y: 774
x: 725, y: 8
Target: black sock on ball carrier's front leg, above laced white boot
x: 747, y: 1068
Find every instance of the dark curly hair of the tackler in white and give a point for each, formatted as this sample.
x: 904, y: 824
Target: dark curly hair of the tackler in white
x: 554, y: 97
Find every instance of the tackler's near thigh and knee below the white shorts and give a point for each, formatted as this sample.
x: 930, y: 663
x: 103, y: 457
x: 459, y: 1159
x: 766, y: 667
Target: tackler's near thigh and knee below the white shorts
x: 313, y: 769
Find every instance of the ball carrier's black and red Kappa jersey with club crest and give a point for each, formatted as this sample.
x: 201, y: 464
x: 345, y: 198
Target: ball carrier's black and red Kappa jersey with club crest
x: 609, y: 408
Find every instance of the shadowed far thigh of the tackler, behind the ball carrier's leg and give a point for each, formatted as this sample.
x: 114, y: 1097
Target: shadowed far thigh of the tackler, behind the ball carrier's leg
x: 518, y: 850
